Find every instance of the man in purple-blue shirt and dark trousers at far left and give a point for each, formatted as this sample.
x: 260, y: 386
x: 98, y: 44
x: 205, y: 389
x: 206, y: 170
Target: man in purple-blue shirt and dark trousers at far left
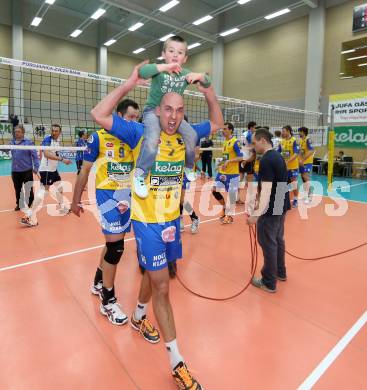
x: 24, y: 164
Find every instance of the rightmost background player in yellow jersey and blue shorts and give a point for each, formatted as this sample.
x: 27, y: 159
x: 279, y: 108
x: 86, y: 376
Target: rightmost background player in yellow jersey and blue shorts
x: 306, y: 161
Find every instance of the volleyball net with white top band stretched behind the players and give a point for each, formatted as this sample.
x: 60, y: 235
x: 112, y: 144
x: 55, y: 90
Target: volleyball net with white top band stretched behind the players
x: 40, y: 95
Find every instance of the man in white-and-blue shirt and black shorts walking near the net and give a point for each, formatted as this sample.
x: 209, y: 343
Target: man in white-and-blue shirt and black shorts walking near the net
x: 49, y: 176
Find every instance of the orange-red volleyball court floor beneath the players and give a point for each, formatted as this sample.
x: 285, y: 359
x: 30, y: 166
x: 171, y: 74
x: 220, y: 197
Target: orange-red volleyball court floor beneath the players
x: 311, y: 334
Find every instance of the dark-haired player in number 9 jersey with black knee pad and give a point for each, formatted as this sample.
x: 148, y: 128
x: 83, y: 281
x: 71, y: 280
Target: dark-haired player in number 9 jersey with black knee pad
x: 114, y: 162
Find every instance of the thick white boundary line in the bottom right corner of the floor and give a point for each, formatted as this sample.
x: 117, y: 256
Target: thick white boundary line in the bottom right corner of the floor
x: 333, y: 354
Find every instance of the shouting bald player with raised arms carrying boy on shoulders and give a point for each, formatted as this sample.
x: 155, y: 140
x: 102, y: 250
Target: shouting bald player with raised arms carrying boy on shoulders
x: 156, y: 218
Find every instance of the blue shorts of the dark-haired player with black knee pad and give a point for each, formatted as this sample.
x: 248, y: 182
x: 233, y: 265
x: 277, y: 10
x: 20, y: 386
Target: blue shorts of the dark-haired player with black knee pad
x: 114, y: 210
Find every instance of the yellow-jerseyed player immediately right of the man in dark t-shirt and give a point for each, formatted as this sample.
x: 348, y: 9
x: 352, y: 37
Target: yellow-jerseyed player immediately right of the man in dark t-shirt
x: 289, y: 149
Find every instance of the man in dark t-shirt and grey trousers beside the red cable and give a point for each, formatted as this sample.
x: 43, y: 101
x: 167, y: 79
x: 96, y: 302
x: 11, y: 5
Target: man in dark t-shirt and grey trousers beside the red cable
x: 269, y: 213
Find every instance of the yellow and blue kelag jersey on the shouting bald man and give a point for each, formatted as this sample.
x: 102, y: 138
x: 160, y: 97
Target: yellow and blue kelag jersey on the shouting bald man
x: 165, y: 176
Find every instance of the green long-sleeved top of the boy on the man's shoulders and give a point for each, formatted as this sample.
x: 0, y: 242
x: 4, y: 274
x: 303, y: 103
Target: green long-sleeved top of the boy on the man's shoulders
x: 163, y: 82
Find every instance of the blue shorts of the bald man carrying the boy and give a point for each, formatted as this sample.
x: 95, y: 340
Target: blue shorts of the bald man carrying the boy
x: 157, y: 244
